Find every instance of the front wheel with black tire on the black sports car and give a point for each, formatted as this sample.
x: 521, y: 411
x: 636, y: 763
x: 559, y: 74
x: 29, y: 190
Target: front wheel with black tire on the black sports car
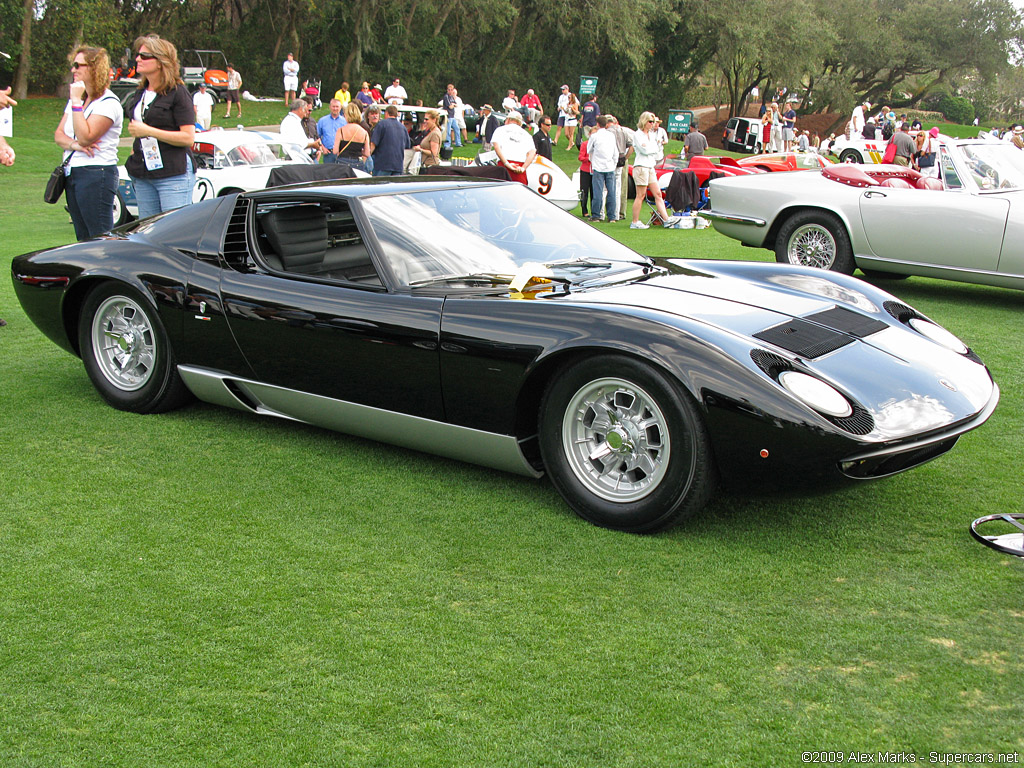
x: 593, y: 412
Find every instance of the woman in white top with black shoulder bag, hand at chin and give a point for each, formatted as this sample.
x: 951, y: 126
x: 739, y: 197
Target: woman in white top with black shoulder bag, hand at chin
x: 89, y: 134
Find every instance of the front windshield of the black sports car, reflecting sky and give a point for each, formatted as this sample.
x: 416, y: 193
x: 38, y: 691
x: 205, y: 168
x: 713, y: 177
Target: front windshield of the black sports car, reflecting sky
x: 487, y: 234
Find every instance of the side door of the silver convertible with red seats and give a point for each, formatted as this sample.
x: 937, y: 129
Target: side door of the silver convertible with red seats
x: 952, y: 228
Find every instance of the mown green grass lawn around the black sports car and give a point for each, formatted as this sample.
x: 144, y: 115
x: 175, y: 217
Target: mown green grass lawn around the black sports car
x: 207, y: 588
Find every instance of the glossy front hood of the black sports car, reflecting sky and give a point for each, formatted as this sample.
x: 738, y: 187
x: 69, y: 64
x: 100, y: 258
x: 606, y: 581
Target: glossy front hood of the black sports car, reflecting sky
x: 908, y: 382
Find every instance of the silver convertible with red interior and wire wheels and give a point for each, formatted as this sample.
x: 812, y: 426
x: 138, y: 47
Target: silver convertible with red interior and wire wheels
x: 967, y: 226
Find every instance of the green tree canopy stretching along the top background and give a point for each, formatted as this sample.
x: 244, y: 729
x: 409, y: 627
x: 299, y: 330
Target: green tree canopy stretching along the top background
x: 647, y: 54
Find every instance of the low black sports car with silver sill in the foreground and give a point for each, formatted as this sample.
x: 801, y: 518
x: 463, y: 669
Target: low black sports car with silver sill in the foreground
x: 478, y: 321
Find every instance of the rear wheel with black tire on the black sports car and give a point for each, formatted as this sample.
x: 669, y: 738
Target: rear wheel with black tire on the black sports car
x: 126, y: 352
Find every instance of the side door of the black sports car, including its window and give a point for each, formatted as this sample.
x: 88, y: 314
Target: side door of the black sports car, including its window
x: 342, y: 337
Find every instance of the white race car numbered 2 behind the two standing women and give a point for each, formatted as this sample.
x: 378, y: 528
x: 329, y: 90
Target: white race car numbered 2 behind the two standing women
x: 227, y: 162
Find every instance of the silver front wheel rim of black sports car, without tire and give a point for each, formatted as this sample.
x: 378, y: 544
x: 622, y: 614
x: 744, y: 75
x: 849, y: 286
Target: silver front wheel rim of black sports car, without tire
x: 617, y: 440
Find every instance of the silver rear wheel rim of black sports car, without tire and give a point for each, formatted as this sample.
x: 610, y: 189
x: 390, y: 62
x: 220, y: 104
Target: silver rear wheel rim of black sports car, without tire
x: 124, y: 344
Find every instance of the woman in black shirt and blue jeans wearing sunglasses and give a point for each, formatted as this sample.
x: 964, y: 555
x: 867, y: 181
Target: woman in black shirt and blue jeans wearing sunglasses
x: 163, y: 122
